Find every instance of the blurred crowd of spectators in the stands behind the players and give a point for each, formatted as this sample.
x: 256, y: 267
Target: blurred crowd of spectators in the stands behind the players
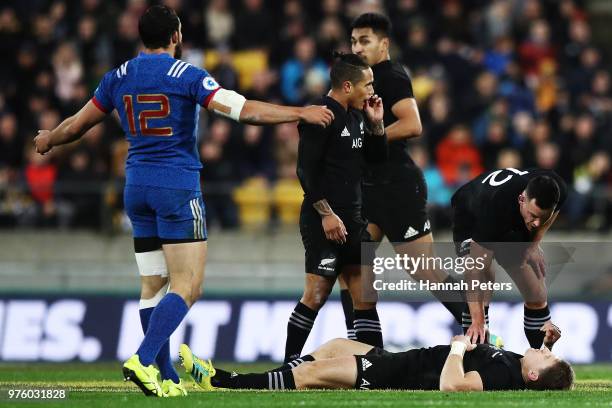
x: 499, y: 83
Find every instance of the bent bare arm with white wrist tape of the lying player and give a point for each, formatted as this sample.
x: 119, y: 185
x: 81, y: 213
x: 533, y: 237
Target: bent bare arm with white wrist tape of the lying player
x: 453, y: 377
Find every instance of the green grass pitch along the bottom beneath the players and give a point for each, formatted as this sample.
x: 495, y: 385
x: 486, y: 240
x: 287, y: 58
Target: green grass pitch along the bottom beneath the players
x: 101, y: 385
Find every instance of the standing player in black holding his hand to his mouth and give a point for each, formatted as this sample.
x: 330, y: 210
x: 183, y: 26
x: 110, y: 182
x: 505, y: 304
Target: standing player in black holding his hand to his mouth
x: 330, y: 162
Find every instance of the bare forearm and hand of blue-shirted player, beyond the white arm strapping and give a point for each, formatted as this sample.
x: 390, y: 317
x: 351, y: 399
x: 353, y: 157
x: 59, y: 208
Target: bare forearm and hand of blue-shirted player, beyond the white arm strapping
x: 263, y: 113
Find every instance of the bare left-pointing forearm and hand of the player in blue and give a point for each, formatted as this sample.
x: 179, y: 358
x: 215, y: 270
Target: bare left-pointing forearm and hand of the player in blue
x: 70, y: 129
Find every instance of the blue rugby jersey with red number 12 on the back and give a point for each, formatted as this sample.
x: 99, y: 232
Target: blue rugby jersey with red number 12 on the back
x: 158, y: 99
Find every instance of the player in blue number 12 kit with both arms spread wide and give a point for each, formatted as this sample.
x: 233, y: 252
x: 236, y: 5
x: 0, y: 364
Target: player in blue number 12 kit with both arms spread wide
x: 158, y: 97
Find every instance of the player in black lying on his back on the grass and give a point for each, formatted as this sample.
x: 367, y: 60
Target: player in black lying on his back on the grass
x: 346, y: 364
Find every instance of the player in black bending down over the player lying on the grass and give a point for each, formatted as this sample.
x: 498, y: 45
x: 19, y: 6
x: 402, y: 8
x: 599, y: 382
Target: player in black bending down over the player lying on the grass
x: 504, y: 215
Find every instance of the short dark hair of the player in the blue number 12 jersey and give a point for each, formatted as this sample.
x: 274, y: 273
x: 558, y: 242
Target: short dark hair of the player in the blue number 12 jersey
x: 157, y: 25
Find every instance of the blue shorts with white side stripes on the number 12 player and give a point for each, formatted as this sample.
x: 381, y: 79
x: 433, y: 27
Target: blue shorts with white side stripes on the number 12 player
x: 165, y: 213
